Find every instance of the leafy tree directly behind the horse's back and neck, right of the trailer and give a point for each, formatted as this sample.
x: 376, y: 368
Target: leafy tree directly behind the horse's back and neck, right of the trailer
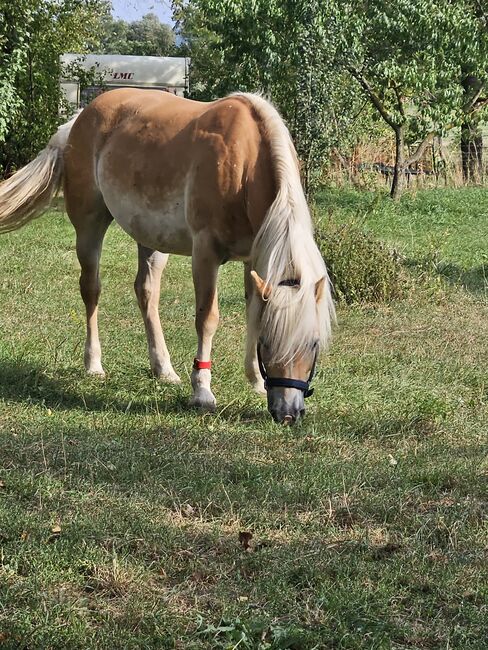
x: 284, y: 49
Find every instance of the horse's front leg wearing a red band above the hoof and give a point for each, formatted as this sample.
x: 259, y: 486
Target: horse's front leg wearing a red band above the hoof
x: 205, y: 267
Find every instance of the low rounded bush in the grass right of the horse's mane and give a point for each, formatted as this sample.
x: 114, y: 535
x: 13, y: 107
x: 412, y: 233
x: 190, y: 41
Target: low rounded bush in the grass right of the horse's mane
x: 361, y: 268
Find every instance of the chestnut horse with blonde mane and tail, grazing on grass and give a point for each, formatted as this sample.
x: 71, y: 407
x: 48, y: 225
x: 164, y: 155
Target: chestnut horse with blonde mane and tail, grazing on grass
x: 218, y: 181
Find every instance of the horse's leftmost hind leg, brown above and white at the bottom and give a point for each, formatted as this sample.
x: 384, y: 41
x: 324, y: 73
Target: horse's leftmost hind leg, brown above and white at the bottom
x: 89, y: 238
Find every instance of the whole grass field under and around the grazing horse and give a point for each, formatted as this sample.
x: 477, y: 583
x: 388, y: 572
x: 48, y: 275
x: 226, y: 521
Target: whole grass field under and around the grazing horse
x: 129, y: 521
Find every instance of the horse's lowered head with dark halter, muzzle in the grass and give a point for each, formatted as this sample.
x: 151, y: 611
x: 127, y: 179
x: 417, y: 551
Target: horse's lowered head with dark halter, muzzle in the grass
x: 290, y: 330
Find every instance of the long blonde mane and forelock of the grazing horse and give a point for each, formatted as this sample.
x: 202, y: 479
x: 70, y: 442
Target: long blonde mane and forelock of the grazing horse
x: 284, y: 249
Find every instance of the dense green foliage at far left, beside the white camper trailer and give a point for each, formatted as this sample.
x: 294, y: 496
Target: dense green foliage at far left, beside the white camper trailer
x: 33, y: 34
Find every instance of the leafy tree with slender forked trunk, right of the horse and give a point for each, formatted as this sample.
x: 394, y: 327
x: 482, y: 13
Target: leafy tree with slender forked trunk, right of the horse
x: 406, y: 57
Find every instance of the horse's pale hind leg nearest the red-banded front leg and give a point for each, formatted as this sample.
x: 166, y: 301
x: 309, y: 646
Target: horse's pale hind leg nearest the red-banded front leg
x: 147, y: 287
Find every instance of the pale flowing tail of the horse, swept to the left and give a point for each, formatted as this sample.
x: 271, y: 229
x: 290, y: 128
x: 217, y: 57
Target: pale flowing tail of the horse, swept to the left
x: 28, y: 192
